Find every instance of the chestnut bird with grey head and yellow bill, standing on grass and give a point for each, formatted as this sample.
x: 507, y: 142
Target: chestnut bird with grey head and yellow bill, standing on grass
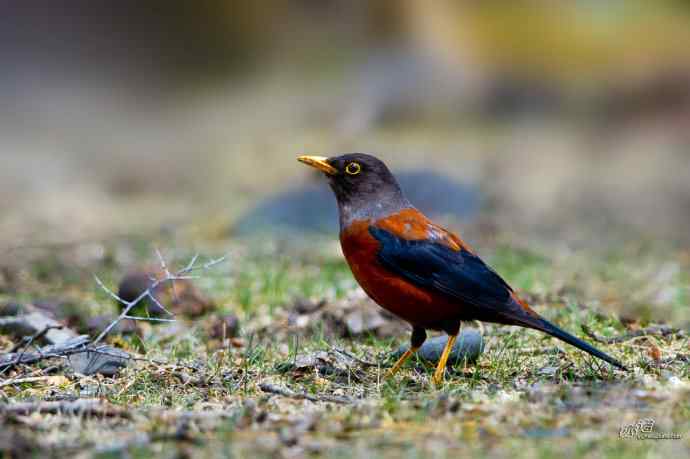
x: 416, y: 269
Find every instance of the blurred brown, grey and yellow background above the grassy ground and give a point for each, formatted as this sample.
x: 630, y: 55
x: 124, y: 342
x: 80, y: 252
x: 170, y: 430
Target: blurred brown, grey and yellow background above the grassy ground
x: 562, y: 121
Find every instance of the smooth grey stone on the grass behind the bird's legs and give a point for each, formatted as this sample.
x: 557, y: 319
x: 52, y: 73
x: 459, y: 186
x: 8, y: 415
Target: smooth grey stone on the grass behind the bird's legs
x: 468, y: 347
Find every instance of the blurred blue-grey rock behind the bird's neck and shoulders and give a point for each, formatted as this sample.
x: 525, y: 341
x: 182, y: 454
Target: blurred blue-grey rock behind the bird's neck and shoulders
x: 312, y: 206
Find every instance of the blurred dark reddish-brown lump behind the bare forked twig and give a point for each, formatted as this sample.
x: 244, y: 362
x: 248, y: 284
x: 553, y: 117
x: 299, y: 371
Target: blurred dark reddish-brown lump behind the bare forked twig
x: 181, y: 297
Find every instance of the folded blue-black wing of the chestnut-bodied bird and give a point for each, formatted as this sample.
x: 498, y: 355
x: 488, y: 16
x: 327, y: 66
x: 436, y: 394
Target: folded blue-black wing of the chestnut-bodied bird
x: 456, y: 273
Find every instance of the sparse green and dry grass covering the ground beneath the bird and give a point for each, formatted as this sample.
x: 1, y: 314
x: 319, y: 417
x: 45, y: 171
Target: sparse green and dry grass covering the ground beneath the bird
x: 528, y: 396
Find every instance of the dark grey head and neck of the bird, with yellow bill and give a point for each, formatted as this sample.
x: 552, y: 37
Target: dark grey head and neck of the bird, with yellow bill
x: 363, y: 186
